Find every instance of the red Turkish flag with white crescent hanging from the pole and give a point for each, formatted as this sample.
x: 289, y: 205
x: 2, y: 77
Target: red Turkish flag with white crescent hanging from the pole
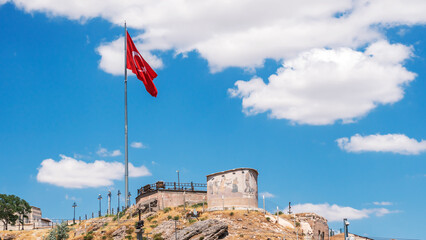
x: 140, y: 67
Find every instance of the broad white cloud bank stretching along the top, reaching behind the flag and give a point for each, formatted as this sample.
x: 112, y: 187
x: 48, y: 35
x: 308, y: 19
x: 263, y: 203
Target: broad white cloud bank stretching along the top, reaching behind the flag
x: 233, y: 33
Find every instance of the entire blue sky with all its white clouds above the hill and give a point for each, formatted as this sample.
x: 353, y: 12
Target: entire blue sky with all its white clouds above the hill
x: 330, y: 112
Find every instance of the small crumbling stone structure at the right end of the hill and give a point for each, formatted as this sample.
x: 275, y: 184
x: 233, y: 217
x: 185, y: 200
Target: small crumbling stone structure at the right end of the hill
x: 313, y: 226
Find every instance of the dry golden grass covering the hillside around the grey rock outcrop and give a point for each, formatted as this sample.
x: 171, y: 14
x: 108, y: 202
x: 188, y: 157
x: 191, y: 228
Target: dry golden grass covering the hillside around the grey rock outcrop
x: 242, y: 225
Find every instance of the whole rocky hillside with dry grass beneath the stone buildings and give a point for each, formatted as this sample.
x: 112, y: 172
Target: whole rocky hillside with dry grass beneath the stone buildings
x: 229, y: 224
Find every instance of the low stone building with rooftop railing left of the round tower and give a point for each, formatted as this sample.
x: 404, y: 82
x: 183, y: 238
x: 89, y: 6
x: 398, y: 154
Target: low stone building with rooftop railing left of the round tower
x: 170, y: 194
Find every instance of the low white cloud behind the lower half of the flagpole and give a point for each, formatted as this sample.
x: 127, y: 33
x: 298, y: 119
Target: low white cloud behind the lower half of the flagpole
x: 71, y: 173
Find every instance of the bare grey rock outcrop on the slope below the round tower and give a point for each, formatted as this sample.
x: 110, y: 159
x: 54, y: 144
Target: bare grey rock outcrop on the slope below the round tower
x: 210, y: 229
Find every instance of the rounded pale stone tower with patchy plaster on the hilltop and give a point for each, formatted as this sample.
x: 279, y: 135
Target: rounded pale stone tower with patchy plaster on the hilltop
x: 232, y: 189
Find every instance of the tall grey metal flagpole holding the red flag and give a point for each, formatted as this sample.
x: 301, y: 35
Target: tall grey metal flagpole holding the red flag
x: 126, y: 170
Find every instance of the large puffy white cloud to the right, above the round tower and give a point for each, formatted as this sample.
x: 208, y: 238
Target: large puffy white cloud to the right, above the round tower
x: 322, y: 86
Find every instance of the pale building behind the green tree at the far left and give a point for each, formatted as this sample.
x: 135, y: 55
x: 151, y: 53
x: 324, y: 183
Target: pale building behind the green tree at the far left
x: 33, y: 221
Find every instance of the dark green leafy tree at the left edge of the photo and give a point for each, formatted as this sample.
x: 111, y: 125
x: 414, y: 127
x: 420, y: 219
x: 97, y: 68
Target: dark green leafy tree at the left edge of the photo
x: 12, y: 208
